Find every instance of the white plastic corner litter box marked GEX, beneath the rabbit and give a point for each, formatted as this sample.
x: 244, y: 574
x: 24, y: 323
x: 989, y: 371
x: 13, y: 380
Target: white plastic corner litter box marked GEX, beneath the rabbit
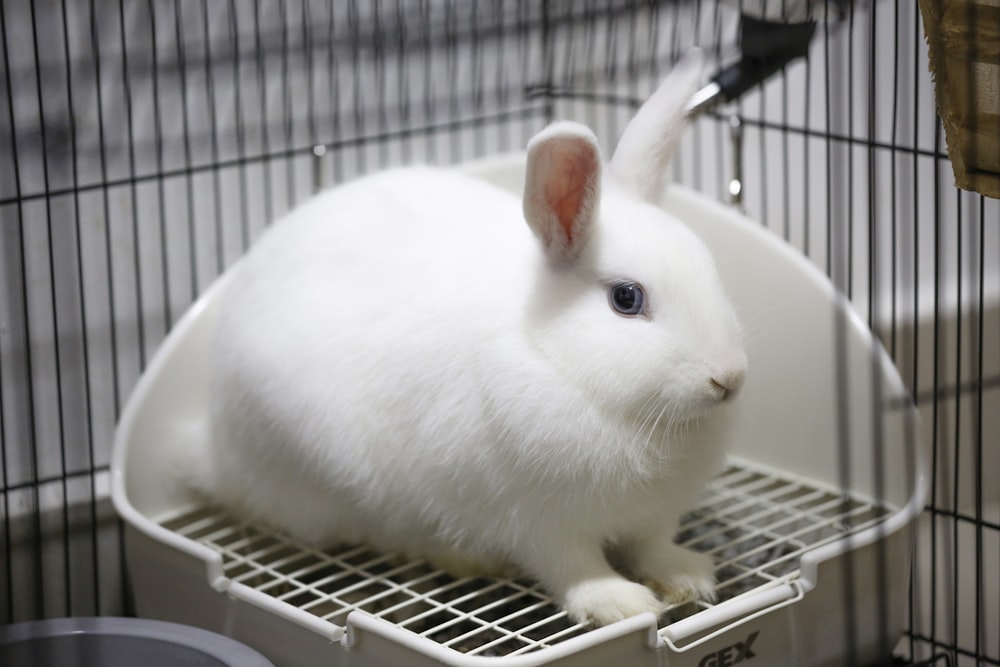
x: 810, y: 524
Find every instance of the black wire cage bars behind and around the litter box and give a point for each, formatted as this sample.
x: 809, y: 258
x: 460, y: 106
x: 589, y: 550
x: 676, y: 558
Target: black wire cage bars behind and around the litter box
x: 145, y: 143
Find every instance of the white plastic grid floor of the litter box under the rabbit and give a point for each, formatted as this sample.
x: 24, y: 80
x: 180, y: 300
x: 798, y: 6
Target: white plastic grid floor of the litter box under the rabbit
x: 756, y: 524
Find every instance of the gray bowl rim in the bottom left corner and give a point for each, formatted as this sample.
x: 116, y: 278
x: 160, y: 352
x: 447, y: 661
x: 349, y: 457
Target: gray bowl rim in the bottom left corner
x: 120, y: 642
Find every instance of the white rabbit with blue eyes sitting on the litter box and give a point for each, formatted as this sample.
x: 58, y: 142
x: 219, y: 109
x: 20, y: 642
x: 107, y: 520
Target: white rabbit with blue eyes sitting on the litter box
x: 402, y: 362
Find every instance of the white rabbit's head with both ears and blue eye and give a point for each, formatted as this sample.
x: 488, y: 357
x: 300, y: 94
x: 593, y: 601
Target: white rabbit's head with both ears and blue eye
x: 628, y: 304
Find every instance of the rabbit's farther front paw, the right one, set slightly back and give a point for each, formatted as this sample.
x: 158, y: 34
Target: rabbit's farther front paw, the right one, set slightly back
x: 680, y: 575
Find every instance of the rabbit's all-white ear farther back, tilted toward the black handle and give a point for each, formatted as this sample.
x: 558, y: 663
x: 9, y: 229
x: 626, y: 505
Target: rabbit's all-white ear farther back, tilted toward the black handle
x: 650, y: 139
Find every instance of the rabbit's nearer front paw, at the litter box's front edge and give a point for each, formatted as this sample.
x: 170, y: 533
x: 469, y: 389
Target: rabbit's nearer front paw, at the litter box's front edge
x: 605, y: 601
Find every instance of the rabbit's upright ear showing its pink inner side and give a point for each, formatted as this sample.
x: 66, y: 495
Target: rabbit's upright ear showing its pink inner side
x: 562, y: 188
